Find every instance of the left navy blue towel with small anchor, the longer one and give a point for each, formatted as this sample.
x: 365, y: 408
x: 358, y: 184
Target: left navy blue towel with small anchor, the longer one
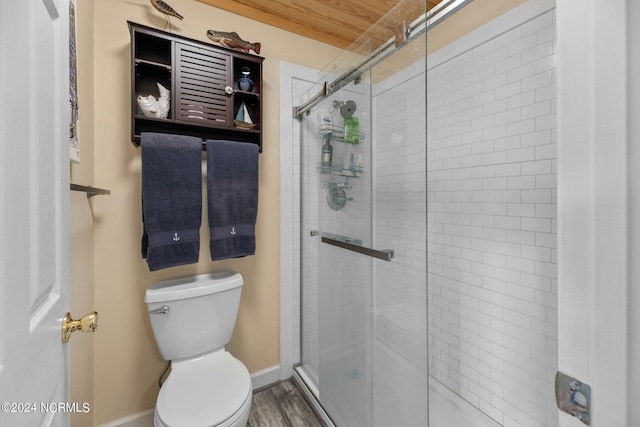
x: 171, y: 199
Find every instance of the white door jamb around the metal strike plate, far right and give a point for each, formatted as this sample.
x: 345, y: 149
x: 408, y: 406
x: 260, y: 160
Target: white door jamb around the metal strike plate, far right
x: 598, y: 193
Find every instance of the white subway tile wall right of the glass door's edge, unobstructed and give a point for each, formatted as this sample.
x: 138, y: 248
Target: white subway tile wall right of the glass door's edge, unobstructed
x: 491, y: 148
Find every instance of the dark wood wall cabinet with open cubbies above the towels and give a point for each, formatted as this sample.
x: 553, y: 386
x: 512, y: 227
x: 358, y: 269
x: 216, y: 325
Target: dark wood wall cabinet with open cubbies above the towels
x: 203, y: 80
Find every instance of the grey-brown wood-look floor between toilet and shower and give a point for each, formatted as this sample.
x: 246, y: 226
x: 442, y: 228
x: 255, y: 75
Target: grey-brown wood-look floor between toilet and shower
x: 282, y: 405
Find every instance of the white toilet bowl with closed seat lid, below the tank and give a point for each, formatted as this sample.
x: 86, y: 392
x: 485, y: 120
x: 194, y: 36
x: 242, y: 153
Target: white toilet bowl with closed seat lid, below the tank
x: 211, y: 390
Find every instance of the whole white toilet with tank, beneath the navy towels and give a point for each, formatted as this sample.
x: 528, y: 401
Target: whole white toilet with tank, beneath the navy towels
x: 192, y: 320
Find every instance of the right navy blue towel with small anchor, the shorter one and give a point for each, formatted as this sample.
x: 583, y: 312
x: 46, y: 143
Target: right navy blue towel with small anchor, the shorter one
x: 232, y: 189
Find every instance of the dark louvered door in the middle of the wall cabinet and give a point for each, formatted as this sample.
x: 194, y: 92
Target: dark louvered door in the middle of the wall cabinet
x: 200, y: 81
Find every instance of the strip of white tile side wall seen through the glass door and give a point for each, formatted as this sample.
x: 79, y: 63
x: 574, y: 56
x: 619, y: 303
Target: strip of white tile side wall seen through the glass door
x: 400, y: 213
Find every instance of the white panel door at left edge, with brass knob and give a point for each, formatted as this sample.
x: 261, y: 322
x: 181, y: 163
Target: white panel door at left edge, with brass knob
x: 34, y: 200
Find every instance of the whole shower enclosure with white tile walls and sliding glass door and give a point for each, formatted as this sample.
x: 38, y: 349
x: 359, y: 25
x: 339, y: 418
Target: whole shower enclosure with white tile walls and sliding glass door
x: 427, y: 245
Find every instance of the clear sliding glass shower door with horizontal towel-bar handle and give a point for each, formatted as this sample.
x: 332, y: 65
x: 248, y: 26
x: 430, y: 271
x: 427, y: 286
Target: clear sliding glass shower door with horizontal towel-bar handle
x: 363, y: 231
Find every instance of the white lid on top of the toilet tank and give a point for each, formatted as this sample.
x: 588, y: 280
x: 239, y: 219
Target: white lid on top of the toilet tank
x: 193, y: 286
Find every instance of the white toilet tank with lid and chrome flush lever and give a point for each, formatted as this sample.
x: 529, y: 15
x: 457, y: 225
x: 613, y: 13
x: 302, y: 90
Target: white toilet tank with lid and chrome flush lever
x: 194, y: 315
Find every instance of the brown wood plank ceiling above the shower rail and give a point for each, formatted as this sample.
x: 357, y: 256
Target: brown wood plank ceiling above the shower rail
x: 336, y: 22
